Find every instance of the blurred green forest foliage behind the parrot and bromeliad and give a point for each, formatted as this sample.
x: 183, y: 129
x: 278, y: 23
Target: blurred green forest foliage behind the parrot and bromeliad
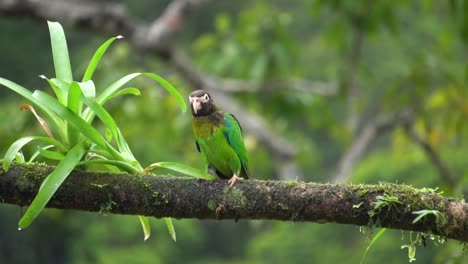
x: 356, y: 91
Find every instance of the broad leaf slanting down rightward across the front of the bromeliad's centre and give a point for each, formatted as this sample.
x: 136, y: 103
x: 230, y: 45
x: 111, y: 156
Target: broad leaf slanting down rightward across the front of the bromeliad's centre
x: 71, y: 118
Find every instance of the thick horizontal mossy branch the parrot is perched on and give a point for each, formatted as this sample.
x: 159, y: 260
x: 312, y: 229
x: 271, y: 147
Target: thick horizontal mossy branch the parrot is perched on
x: 178, y: 197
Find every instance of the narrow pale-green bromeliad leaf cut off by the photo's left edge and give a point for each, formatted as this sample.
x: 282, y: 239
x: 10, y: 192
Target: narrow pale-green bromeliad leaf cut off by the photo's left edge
x: 57, y: 124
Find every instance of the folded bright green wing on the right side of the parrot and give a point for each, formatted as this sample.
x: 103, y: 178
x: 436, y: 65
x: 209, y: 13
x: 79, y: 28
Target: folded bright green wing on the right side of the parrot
x: 233, y: 133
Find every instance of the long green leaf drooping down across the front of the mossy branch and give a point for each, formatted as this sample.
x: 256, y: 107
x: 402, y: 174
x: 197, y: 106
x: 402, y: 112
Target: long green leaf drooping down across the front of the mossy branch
x: 52, y: 183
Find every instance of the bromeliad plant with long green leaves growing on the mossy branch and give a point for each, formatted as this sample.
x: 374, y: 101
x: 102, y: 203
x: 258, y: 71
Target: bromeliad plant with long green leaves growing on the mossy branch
x: 67, y: 120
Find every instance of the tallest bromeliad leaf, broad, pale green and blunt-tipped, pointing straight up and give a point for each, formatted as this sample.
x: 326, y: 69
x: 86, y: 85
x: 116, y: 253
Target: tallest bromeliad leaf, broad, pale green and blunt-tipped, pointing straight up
x: 60, y: 52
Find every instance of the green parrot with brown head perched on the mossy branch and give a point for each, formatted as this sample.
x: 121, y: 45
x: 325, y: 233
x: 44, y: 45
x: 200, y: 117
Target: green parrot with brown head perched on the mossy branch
x: 218, y: 137
